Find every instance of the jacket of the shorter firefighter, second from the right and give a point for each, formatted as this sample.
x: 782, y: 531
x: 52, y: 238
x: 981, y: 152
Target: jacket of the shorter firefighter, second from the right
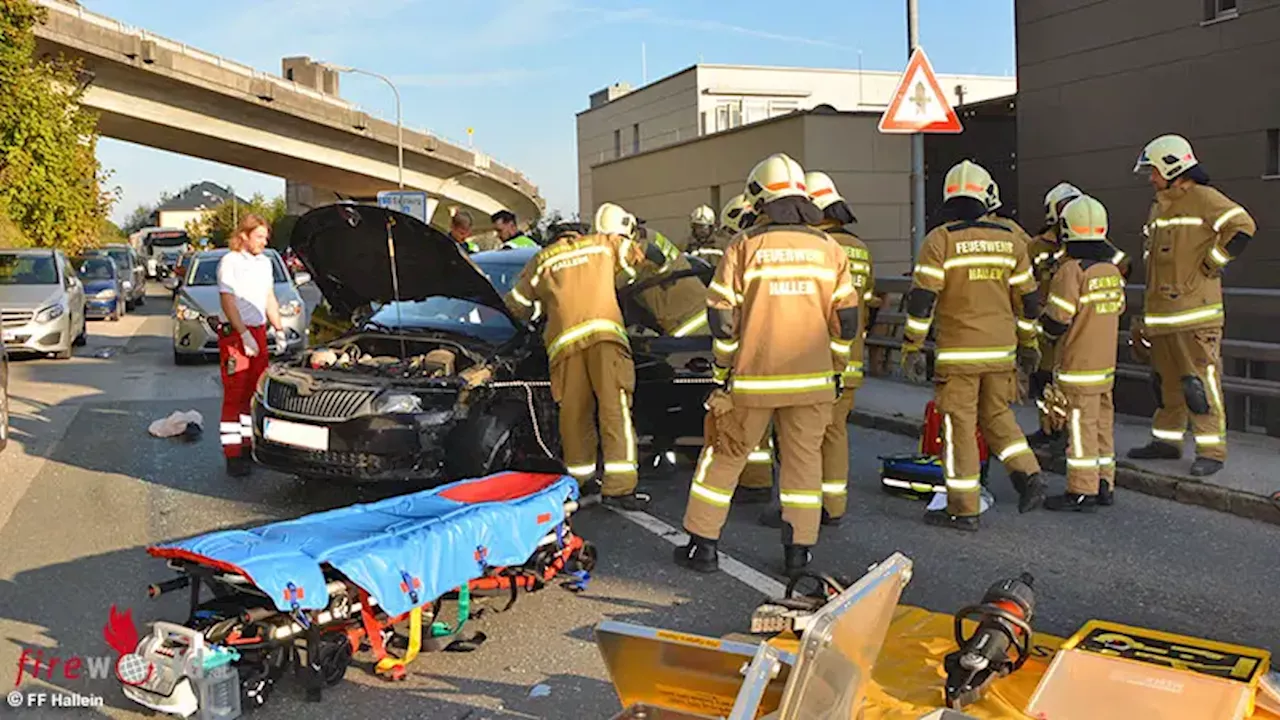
x: 1086, y: 300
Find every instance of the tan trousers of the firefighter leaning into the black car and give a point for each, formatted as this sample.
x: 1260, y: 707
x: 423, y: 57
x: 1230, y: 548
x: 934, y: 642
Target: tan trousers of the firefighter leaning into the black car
x: 597, y: 381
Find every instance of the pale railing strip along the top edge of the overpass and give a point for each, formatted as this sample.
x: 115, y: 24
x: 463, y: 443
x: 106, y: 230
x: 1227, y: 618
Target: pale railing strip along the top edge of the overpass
x: 483, y: 162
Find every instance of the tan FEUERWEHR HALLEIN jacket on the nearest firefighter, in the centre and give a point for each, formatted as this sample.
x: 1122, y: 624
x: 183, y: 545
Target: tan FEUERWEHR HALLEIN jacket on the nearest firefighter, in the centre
x: 784, y: 289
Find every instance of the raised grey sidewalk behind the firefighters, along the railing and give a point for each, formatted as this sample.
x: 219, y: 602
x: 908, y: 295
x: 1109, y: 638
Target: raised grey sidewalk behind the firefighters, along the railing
x: 1245, y: 487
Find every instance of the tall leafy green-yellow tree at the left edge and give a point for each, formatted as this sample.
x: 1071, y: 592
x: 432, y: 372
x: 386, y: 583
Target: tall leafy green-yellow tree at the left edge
x: 52, y: 185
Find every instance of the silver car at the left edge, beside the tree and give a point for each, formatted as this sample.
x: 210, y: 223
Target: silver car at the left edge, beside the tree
x: 42, y: 303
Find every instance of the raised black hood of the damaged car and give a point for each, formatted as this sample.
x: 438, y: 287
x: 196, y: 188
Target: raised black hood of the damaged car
x: 345, y: 248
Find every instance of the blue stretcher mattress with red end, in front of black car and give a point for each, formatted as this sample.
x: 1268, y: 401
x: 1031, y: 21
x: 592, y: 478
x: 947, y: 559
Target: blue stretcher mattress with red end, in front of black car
x: 414, y: 546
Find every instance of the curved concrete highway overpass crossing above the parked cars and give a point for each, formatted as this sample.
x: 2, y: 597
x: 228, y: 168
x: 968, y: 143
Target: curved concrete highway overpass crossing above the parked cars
x: 163, y: 94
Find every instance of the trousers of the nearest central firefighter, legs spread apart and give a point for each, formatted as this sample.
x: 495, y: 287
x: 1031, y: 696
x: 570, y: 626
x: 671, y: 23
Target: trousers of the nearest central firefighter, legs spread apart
x: 801, y: 430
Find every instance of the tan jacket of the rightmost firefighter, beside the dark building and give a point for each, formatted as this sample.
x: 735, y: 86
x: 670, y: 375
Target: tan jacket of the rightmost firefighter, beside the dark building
x: 1192, y: 234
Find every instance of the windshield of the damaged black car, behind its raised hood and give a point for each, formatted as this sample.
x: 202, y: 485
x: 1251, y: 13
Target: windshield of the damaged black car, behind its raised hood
x: 458, y: 316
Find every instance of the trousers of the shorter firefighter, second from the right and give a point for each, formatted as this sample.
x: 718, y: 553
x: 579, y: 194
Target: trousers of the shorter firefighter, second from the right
x: 1091, y: 441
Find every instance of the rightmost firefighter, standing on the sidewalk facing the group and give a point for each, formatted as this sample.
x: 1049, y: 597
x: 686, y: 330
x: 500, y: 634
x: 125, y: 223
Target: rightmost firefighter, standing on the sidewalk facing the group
x: 1194, y: 231
